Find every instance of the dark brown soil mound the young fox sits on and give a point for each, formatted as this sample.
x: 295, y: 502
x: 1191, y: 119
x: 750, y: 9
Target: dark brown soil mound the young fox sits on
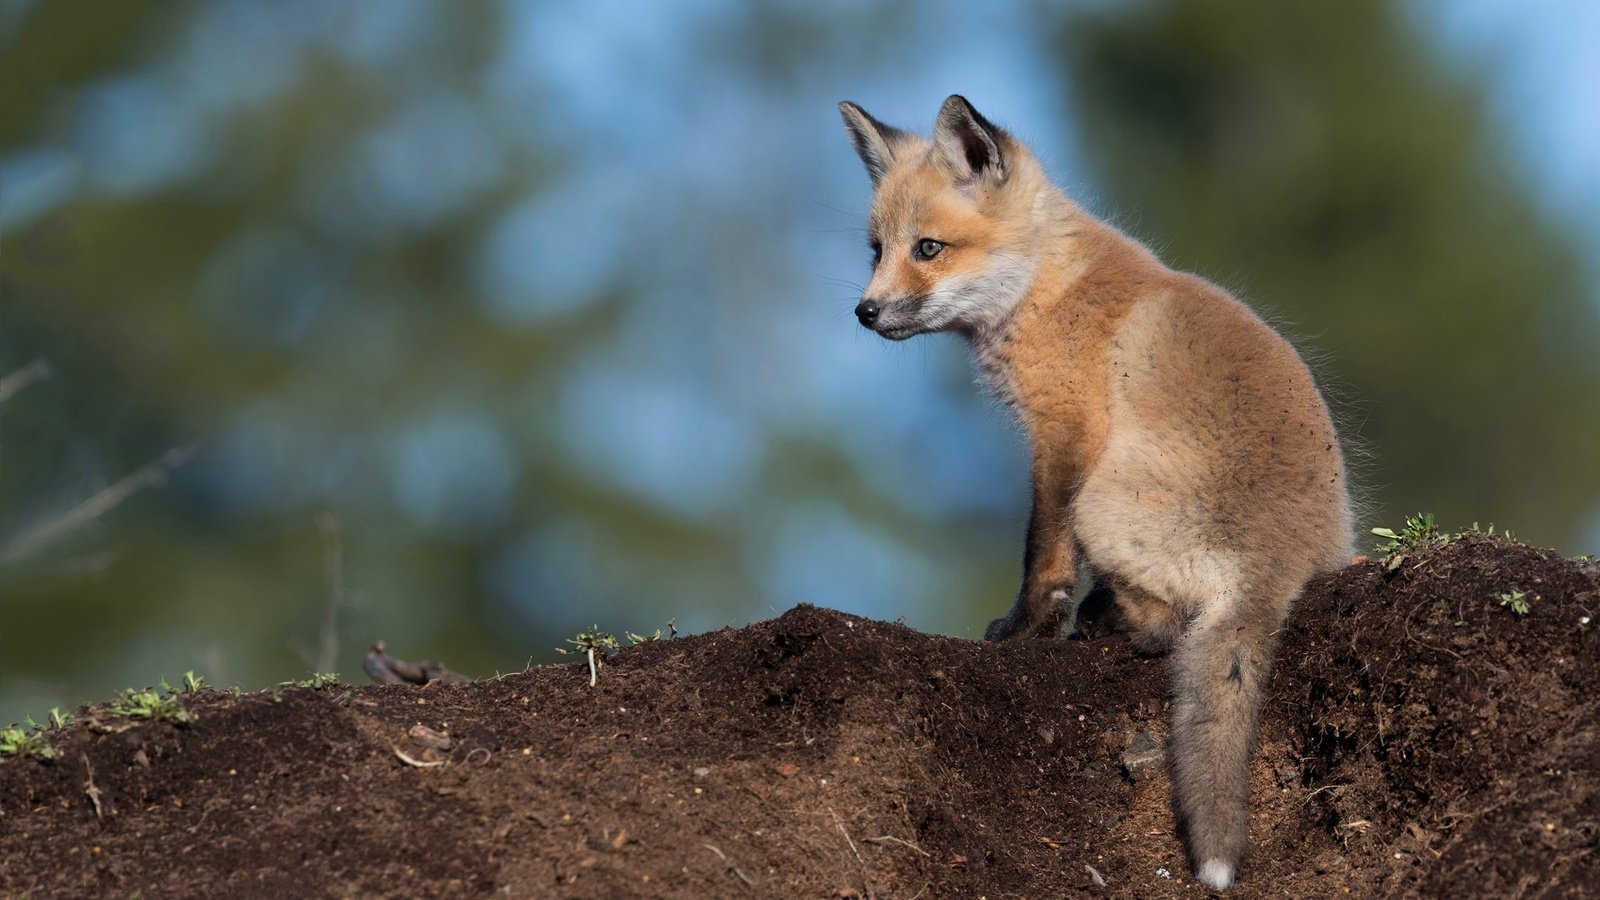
x: 1420, y: 739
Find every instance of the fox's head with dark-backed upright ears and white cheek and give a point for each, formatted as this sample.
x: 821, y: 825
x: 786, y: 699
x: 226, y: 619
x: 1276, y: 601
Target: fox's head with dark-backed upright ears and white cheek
x: 951, y: 225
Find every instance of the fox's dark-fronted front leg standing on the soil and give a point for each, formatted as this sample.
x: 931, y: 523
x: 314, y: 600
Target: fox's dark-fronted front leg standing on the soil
x: 1050, y: 565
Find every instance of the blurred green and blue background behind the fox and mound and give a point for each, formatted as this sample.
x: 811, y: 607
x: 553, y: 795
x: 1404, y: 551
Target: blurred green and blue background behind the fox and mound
x: 468, y: 326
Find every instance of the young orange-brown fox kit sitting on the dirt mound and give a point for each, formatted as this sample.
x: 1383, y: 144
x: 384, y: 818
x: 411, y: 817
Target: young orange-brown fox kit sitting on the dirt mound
x: 1164, y: 417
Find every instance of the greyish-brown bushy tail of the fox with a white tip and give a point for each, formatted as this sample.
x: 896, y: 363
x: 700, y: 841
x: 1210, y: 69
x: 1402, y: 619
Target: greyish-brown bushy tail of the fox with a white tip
x: 1222, y: 670
